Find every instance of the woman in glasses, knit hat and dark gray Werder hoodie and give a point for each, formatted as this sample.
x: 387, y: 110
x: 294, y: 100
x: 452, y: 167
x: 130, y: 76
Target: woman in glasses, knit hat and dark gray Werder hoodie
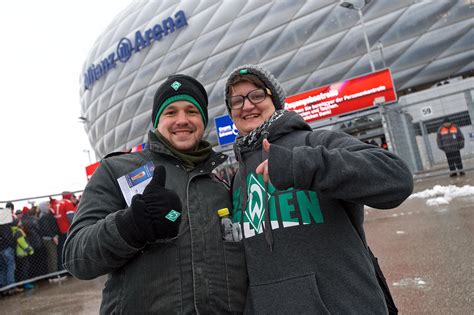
x: 299, y: 196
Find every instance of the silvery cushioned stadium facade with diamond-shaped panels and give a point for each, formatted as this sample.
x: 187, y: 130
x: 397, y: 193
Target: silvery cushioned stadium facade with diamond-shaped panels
x: 305, y: 44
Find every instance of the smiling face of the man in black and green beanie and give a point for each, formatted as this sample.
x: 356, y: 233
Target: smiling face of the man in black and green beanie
x: 182, y: 125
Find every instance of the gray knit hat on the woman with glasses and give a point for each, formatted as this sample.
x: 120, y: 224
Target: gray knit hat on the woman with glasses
x: 278, y: 94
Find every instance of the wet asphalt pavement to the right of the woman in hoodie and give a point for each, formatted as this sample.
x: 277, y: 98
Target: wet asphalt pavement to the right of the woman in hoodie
x: 427, y: 252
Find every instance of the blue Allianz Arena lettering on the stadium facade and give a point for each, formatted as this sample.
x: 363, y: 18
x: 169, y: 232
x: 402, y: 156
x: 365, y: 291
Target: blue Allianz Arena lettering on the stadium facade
x: 126, y: 47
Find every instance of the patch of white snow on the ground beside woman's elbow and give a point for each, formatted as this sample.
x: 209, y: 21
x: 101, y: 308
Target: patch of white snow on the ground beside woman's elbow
x: 442, y: 195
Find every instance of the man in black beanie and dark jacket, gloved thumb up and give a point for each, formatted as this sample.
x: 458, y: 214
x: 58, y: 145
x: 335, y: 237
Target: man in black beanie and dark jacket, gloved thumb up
x: 162, y: 248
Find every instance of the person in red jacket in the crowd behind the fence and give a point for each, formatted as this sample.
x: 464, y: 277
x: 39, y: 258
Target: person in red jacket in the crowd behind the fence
x: 63, y: 211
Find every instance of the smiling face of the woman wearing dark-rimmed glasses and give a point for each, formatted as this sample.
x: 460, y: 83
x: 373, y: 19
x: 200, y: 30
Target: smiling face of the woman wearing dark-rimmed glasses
x: 250, y: 115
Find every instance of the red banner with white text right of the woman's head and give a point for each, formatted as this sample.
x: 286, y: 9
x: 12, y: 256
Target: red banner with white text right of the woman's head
x: 344, y: 97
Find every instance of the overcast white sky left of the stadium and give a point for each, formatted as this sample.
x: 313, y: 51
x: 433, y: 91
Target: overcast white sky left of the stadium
x: 44, y: 45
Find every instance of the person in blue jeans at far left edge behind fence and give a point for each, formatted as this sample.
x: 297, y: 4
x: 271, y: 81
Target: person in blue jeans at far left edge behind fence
x: 7, y: 251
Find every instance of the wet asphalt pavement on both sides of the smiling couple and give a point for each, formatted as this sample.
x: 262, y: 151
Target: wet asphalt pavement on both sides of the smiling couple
x: 426, y: 253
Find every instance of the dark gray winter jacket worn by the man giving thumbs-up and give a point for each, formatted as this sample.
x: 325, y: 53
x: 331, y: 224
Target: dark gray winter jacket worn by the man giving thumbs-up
x: 195, y: 273
